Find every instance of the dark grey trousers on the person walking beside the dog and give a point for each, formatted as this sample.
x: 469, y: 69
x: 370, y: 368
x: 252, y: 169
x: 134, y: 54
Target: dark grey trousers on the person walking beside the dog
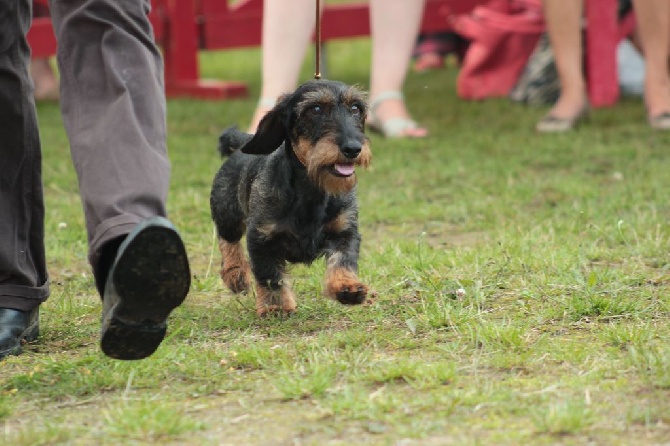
x: 113, y: 107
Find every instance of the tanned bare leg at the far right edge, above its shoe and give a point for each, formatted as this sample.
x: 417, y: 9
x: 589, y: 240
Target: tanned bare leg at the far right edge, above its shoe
x: 653, y: 18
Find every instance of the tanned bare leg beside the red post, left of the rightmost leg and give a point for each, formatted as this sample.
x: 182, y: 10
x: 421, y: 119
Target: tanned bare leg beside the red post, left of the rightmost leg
x: 563, y: 19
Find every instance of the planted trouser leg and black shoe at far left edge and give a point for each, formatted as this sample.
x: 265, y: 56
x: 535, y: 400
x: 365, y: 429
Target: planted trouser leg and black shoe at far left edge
x: 23, y: 275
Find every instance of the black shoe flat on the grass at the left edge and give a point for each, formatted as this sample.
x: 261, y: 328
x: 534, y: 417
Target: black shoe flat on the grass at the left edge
x: 15, y: 327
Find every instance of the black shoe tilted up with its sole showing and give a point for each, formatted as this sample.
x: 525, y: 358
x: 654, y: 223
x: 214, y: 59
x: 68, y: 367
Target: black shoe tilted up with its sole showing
x: 149, y: 278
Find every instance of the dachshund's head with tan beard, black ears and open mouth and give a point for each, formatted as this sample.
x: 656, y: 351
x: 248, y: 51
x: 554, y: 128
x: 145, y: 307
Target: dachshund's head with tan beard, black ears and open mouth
x: 322, y: 123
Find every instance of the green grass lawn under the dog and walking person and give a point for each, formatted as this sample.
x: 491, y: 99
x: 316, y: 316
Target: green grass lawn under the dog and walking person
x: 560, y: 333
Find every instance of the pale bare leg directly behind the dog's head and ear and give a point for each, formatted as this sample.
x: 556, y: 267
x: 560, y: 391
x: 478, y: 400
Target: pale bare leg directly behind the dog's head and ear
x: 287, y: 28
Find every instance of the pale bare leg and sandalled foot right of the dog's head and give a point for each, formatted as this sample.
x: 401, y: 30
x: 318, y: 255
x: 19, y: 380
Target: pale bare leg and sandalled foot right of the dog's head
x: 394, y: 27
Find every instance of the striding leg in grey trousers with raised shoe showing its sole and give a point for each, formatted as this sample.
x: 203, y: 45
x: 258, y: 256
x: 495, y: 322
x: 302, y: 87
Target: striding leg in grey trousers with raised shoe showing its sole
x: 113, y: 105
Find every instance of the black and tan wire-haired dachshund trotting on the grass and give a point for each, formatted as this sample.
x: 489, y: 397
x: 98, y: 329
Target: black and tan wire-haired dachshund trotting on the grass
x: 291, y: 188
